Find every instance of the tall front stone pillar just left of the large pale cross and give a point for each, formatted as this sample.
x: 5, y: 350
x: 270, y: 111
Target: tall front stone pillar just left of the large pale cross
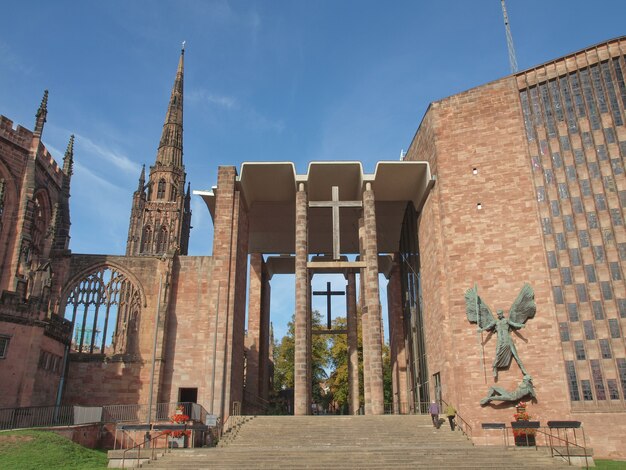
x: 302, y: 357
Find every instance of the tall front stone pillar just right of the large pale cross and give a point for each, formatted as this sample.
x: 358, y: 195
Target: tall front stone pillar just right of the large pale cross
x: 372, y: 300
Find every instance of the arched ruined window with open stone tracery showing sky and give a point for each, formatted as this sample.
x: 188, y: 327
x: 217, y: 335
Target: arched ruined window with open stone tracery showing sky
x: 103, y: 307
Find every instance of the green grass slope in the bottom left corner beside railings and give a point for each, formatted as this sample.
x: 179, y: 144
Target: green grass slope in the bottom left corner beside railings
x: 41, y: 450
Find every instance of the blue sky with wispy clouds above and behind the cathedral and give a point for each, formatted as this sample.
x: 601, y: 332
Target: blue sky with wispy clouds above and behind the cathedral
x: 276, y: 80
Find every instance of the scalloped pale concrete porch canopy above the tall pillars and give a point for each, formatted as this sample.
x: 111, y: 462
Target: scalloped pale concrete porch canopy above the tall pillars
x: 269, y: 191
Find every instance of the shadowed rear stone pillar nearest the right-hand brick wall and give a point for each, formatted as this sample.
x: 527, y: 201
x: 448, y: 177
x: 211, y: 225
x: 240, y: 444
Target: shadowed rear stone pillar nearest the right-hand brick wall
x: 396, y: 340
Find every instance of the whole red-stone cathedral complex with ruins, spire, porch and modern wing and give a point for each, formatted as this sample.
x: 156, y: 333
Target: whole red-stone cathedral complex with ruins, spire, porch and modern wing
x: 518, y: 181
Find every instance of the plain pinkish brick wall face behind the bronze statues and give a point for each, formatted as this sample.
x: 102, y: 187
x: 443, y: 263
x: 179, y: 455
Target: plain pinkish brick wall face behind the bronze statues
x: 498, y: 247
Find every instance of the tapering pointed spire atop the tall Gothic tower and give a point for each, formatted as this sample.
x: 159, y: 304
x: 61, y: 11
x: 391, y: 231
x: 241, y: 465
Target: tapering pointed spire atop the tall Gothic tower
x: 170, y: 151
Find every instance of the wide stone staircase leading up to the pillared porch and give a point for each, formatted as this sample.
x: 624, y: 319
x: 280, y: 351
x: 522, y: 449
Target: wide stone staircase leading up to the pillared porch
x: 349, y: 442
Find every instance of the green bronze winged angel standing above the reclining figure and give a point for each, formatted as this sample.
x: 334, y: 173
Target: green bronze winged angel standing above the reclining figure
x: 522, y: 309
